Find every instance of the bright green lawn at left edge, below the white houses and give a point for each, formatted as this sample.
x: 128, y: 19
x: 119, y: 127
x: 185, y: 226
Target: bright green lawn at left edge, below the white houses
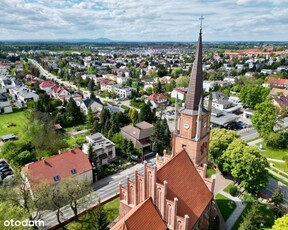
x: 18, y: 118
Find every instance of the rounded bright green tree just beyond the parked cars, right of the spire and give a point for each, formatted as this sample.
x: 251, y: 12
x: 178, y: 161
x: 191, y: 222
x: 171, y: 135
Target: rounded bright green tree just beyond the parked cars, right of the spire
x: 251, y: 95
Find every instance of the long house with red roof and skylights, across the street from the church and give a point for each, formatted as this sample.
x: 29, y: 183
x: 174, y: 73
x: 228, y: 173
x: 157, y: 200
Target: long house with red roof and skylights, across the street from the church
x: 69, y: 164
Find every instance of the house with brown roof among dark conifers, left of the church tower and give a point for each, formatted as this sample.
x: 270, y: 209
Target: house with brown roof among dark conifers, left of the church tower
x: 139, y: 134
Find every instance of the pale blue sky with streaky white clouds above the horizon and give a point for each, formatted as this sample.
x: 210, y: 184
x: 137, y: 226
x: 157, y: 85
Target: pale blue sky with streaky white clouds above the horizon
x: 147, y: 20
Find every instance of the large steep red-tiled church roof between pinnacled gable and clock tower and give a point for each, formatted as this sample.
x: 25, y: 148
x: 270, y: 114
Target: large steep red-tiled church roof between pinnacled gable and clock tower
x: 185, y: 183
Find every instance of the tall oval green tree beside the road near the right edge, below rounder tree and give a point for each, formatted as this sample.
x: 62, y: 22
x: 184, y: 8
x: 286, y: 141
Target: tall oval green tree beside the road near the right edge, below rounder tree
x: 264, y: 118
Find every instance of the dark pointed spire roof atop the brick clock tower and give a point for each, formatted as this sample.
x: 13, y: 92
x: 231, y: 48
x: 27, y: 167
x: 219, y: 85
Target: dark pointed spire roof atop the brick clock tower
x: 195, y: 88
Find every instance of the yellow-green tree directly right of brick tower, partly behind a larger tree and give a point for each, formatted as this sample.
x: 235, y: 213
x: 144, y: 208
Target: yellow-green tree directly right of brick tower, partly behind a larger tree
x: 219, y: 142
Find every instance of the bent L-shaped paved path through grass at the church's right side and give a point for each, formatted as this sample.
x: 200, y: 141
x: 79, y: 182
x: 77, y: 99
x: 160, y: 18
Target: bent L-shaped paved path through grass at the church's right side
x: 236, y: 213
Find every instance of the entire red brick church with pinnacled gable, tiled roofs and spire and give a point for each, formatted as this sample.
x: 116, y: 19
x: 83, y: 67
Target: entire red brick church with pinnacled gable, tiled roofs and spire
x: 175, y: 193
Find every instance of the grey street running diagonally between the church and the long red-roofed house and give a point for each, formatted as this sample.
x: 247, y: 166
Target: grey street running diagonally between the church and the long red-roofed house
x: 104, y: 189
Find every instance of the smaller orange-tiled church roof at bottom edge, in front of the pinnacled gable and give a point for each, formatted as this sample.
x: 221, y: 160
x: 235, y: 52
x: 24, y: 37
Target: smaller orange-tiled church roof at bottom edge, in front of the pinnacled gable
x: 144, y: 216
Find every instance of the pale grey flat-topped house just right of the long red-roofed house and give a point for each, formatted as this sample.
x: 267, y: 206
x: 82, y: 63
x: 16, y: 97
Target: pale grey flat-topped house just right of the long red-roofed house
x: 103, y: 148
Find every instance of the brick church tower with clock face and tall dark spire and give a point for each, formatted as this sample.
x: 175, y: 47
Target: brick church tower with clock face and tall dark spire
x: 192, y: 131
